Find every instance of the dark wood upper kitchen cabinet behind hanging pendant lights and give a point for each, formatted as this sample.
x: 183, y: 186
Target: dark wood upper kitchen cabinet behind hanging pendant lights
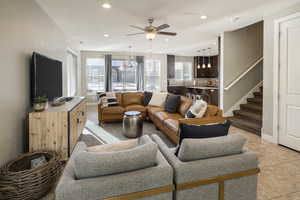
x: 206, y: 72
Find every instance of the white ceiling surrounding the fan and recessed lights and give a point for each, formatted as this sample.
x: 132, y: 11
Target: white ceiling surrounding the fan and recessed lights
x: 85, y: 22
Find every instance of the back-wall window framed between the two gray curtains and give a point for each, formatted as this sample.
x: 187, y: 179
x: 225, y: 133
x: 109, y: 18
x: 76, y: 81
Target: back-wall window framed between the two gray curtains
x: 124, y: 77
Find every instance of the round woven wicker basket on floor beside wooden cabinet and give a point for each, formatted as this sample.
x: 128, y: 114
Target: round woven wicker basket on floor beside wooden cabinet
x: 19, y: 182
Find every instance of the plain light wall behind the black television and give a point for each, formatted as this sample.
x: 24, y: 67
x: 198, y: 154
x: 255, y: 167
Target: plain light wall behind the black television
x: 24, y: 28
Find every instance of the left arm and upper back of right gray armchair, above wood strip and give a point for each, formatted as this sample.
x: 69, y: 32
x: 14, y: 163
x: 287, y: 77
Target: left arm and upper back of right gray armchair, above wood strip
x: 185, y: 172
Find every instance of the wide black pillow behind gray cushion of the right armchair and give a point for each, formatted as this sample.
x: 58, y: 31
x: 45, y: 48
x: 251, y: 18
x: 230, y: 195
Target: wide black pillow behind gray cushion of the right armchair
x: 202, y: 131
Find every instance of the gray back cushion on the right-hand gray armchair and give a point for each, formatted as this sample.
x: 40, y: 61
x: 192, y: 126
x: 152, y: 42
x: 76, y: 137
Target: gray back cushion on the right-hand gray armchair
x: 196, y: 149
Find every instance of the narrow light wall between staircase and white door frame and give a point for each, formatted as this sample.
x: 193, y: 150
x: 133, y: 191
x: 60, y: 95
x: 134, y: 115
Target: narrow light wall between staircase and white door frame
x: 269, y: 24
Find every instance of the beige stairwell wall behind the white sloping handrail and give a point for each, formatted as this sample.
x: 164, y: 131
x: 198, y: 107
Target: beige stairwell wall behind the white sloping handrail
x: 241, y: 49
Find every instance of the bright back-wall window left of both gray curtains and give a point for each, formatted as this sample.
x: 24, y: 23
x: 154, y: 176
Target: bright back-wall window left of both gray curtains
x: 95, y: 74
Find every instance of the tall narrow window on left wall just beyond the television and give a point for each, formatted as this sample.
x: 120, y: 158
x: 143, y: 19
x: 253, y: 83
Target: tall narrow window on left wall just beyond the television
x: 72, y: 74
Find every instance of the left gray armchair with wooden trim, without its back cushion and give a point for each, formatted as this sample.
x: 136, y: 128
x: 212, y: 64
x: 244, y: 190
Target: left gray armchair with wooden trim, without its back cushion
x: 150, y: 183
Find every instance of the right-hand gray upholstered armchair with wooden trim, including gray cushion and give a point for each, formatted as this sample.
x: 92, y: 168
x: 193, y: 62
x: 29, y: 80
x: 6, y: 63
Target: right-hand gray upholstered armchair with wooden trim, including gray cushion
x: 213, y: 169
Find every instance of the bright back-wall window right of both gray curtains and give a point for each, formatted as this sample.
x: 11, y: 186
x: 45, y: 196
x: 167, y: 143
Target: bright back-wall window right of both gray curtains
x: 152, y: 75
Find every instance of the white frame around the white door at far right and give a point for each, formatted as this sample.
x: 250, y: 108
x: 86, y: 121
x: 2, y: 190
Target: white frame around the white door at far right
x: 276, y: 60
